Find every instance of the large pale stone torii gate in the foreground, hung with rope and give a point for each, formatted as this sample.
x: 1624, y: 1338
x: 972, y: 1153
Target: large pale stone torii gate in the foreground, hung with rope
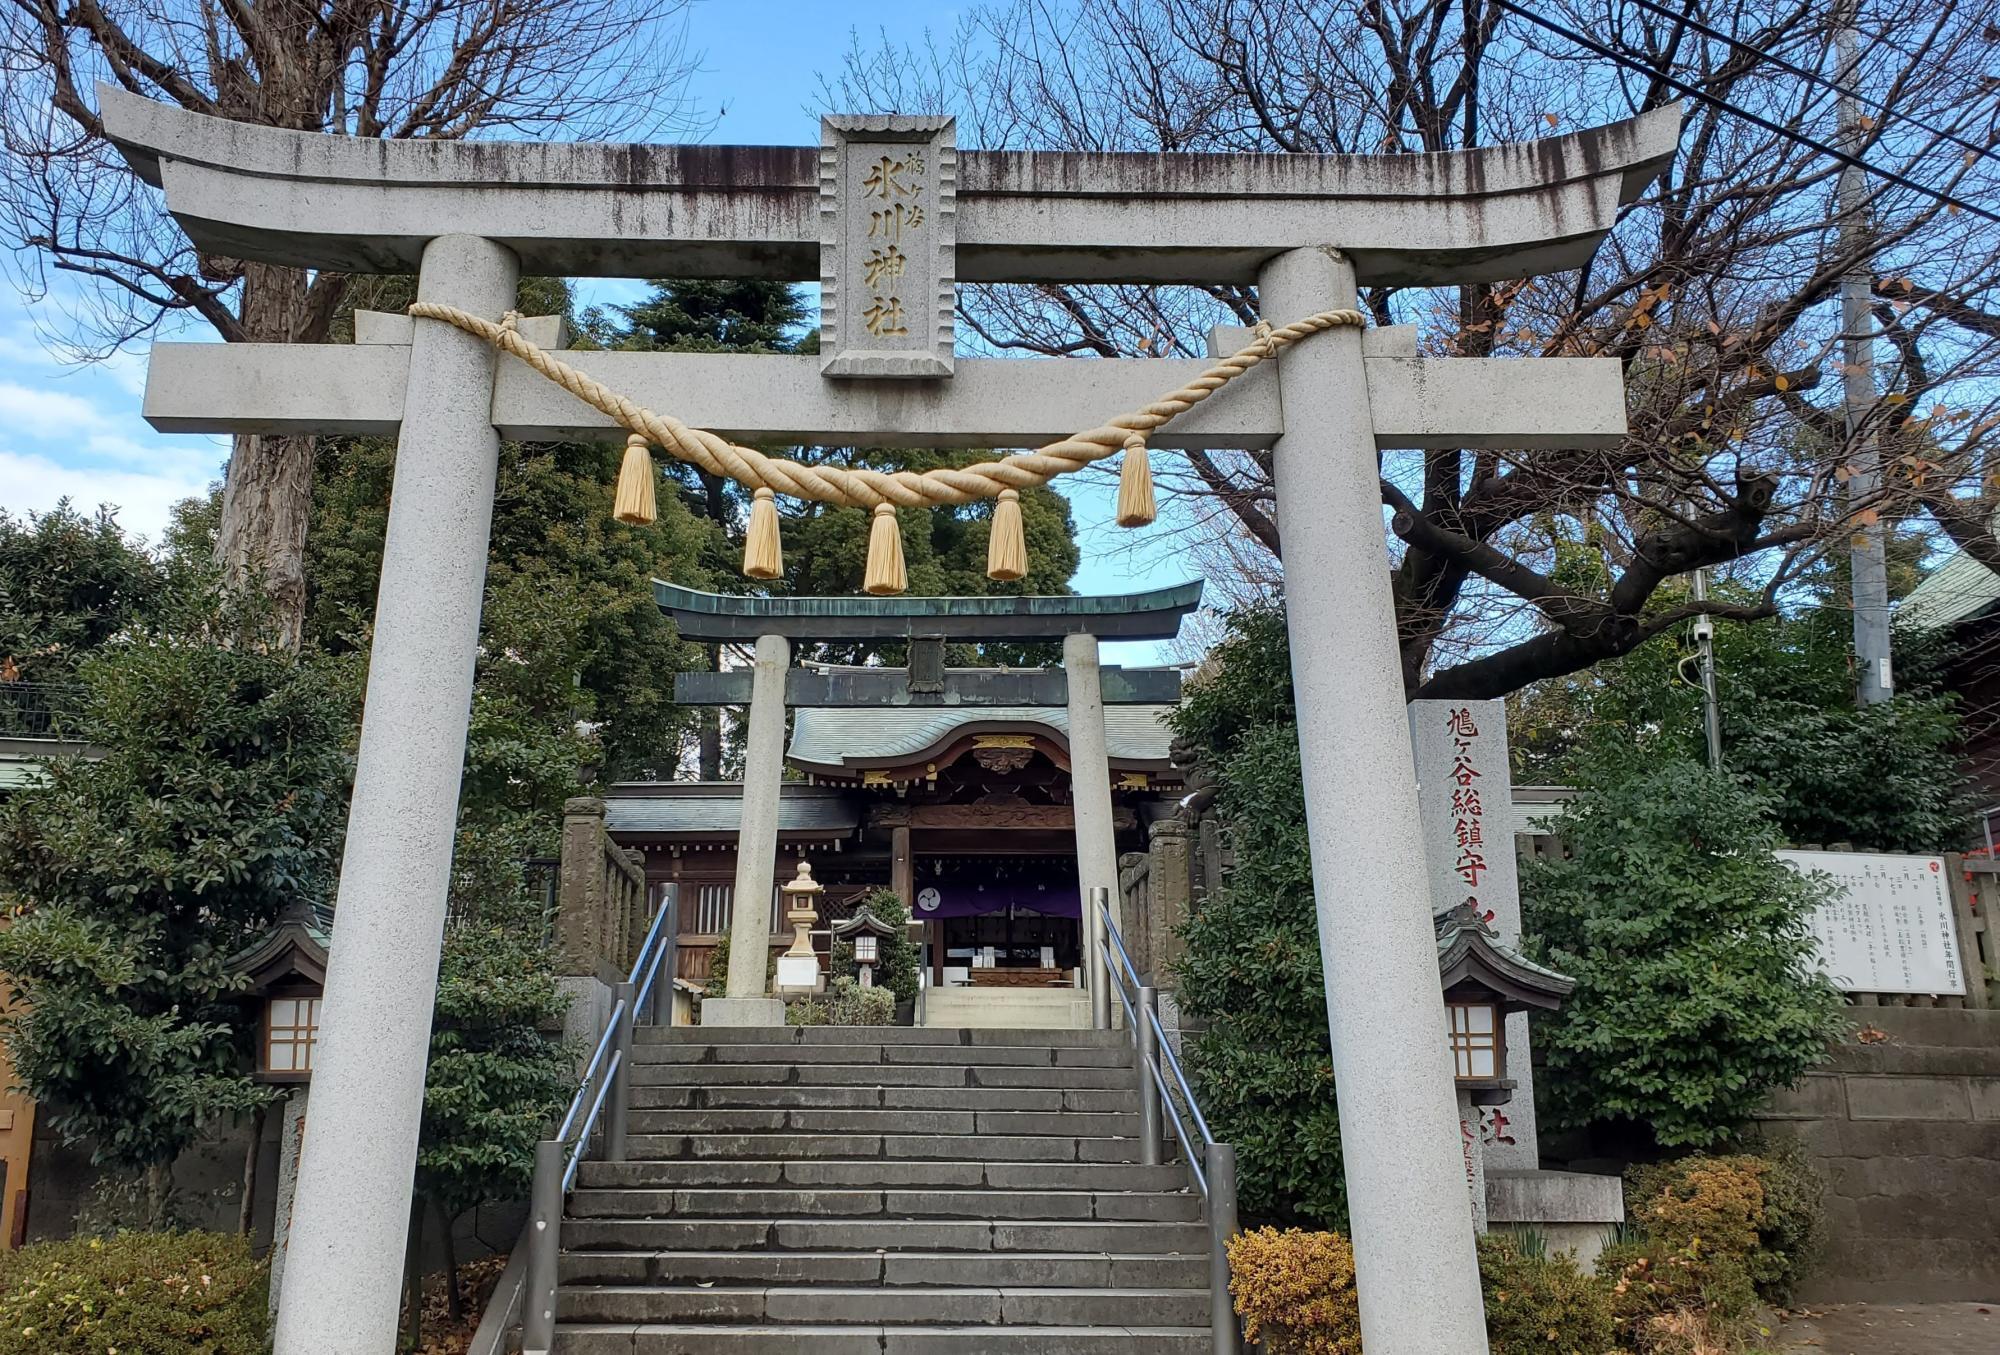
x: 471, y: 217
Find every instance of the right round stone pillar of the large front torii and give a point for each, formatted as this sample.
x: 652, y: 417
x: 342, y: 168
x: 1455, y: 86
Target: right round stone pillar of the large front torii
x: 1399, y: 1120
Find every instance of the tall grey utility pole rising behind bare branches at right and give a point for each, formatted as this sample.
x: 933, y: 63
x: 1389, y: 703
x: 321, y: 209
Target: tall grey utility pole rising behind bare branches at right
x: 1867, y: 551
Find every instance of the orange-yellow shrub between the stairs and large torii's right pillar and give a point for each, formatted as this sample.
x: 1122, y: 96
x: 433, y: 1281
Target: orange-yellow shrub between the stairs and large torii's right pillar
x: 1295, y: 1292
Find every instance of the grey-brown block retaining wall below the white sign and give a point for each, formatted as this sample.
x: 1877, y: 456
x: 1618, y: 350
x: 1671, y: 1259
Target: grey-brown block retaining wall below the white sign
x: 1905, y: 1126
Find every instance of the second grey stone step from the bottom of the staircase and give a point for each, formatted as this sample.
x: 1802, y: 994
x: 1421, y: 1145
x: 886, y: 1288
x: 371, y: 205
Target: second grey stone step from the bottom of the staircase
x: 869, y: 1306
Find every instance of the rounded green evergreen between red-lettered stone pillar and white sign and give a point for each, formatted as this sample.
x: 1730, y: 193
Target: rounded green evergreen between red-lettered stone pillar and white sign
x: 1691, y: 950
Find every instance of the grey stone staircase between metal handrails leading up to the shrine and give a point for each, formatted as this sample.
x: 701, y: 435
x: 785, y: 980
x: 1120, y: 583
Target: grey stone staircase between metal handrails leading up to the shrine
x: 885, y: 1192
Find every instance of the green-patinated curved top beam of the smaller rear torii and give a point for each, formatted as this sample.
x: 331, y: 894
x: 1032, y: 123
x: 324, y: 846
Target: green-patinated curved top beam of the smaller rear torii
x: 735, y: 617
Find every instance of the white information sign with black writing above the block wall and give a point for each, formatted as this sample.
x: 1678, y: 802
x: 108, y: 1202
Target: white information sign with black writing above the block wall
x: 1891, y: 928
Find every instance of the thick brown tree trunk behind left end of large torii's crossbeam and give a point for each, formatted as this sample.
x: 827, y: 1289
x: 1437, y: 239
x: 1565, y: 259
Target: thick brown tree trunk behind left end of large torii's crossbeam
x: 267, y: 495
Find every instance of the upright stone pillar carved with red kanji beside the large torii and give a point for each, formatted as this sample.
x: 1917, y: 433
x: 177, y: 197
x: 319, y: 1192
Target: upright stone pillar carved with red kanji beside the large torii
x: 1467, y: 804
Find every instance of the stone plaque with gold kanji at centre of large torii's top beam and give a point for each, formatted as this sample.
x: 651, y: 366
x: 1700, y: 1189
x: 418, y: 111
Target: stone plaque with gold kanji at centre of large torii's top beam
x: 887, y: 243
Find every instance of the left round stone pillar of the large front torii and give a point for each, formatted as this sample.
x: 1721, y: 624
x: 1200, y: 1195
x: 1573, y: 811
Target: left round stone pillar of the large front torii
x: 349, y: 1228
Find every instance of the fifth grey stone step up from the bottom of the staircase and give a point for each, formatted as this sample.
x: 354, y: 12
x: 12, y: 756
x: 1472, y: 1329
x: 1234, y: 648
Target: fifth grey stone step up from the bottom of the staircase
x: 891, y: 1204
